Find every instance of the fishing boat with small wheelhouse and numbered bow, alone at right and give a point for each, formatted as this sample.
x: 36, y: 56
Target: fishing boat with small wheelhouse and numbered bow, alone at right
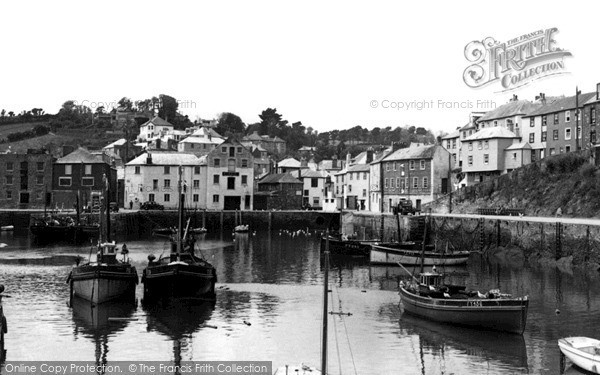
x: 429, y: 298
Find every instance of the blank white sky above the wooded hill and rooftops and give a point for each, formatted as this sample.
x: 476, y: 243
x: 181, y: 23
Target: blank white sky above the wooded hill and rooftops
x: 332, y: 65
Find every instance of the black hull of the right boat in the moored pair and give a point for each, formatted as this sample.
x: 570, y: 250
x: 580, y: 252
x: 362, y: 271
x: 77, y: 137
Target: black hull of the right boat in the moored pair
x: 179, y: 280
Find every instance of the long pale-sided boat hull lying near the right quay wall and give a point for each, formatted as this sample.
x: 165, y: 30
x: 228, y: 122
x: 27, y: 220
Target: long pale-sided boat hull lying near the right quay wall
x: 381, y: 254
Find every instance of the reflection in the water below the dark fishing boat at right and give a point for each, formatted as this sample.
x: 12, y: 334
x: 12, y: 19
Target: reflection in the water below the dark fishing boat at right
x: 442, y: 340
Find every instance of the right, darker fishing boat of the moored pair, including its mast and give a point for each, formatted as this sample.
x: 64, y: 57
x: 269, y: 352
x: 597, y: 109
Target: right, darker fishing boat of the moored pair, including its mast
x: 181, y: 273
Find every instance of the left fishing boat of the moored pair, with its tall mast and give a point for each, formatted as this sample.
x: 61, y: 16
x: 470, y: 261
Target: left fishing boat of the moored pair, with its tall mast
x: 108, y: 277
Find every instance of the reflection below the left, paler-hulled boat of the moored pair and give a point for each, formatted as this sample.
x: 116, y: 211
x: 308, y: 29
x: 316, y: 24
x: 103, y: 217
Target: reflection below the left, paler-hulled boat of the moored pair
x: 101, y: 321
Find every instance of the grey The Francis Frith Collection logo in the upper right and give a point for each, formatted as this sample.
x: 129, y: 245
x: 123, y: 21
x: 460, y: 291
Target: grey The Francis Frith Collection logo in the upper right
x: 514, y: 63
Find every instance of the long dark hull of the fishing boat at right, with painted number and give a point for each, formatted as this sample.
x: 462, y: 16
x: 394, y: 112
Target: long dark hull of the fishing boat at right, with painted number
x: 507, y: 315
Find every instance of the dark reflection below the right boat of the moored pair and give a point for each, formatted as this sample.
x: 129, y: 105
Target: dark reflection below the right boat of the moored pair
x: 178, y: 319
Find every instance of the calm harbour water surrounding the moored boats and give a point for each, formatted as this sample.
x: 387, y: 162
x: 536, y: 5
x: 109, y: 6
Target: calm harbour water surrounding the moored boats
x: 268, y: 307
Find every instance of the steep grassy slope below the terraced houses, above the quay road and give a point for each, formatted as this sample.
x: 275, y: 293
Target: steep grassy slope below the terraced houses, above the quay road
x: 566, y: 181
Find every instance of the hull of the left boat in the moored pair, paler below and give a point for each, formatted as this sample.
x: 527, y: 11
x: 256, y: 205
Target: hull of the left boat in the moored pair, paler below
x: 103, y: 283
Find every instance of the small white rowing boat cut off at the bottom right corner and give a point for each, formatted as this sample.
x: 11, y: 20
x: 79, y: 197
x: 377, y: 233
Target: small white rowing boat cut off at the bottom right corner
x: 582, y: 351
